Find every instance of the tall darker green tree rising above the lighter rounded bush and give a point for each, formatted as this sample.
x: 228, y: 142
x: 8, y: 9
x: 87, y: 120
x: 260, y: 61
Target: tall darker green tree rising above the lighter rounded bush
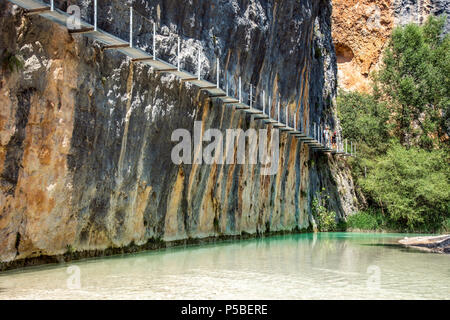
x: 414, y: 80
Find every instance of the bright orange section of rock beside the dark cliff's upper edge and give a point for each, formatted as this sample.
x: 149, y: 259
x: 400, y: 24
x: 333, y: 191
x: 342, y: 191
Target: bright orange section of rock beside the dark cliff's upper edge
x: 361, y: 29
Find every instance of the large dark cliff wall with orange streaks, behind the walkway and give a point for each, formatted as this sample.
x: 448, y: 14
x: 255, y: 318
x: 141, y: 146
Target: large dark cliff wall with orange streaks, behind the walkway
x: 85, y: 133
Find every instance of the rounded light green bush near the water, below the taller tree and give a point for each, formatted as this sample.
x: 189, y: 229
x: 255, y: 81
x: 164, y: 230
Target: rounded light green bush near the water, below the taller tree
x: 413, y: 185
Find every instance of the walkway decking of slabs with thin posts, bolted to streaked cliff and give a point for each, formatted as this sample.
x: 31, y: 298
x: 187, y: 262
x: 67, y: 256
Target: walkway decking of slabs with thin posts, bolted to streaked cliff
x: 111, y: 42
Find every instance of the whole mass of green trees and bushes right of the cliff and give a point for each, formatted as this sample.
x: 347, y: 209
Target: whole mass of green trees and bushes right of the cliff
x: 402, y: 133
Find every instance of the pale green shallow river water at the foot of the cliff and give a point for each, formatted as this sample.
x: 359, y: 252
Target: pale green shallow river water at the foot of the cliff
x: 304, y: 266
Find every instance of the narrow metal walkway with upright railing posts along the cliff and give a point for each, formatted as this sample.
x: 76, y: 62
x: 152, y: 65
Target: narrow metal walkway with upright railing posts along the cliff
x: 315, y: 136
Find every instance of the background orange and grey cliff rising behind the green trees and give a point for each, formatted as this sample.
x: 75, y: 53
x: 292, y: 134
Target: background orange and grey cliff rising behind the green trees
x: 362, y: 28
